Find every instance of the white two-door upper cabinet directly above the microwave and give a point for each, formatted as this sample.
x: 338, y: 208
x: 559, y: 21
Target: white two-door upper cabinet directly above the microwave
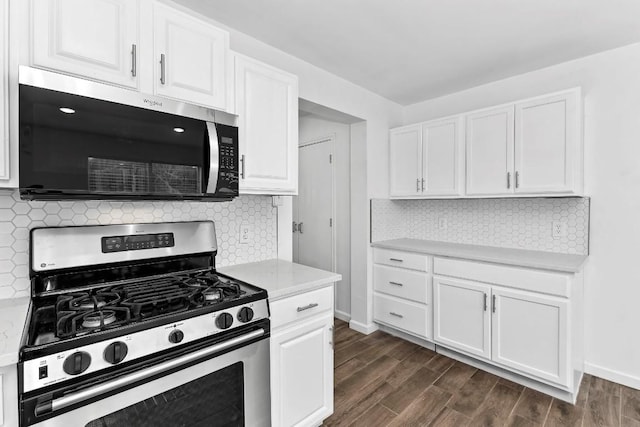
x: 143, y: 45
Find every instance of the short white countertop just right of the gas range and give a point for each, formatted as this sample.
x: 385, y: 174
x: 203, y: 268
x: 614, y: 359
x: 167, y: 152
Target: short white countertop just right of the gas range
x: 281, y: 278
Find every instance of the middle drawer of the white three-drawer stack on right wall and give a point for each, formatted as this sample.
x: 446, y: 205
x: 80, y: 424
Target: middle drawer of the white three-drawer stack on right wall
x: 402, y: 283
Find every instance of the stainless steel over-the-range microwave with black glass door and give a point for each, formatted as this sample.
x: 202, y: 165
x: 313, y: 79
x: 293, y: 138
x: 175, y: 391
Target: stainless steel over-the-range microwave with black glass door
x: 87, y: 140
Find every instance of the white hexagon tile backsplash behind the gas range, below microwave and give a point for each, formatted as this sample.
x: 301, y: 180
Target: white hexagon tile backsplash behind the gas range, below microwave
x: 17, y: 217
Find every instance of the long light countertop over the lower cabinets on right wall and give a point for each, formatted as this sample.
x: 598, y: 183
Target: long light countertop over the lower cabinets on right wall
x: 519, y: 257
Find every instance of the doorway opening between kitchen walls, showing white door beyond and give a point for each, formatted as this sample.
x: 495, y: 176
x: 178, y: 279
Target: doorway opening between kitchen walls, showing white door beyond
x: 322, y: 210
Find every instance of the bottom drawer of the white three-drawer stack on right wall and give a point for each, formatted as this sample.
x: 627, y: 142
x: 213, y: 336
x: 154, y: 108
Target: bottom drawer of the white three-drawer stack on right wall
x: 406, y: 315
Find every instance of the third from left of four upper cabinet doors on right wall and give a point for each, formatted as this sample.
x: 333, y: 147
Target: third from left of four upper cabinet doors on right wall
x: 489, y: 146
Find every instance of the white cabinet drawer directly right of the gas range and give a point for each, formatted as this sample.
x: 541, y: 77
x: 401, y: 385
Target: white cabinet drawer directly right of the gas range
x: 301, y: 306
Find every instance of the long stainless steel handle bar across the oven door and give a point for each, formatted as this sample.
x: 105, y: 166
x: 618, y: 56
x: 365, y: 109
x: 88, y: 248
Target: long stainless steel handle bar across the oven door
x: 89, y: 393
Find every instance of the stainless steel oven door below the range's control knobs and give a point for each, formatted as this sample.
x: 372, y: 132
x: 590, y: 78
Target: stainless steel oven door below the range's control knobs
x: 230, y: 389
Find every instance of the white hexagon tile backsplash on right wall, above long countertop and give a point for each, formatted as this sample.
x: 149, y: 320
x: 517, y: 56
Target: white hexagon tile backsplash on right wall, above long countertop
x: 523, y: 223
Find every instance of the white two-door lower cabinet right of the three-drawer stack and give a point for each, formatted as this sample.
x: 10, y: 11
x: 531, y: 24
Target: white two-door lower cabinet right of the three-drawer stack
x: 517, y: 329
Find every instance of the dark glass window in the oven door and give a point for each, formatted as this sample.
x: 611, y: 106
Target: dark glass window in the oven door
x: 215, y: 399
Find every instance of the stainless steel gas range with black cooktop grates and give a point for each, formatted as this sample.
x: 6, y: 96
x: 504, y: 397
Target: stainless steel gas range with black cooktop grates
x: 132, y: 325
